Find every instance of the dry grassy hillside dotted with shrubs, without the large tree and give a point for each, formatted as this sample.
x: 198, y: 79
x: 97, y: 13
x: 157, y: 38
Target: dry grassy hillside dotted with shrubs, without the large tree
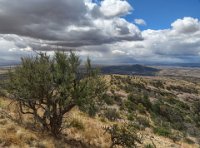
x: 162, y: 108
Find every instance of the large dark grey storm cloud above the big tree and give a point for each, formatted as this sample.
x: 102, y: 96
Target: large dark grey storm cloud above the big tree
x: 49, y: 20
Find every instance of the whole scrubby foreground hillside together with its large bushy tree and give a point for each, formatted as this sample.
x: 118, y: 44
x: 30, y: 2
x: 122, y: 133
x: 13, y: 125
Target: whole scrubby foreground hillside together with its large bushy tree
x: 58, y: 102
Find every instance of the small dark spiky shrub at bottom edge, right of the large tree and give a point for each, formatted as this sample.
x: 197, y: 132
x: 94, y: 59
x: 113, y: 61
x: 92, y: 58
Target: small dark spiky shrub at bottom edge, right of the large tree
x: 125, y: 135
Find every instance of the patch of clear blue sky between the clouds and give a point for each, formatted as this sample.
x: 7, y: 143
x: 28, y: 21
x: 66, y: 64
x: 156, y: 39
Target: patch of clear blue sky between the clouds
x: 159, y: 14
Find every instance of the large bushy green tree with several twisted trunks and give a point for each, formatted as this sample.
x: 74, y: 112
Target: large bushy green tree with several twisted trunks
x: 54, y: 86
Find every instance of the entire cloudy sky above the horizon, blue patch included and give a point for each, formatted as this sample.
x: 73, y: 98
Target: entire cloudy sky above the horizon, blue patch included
x: 108, y: 31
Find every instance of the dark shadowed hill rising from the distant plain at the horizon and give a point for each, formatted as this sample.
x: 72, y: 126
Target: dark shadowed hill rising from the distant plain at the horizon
x: 129, y: 70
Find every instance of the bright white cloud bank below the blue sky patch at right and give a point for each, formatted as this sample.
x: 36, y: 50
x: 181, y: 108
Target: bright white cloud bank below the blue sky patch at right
x: 170, y: 45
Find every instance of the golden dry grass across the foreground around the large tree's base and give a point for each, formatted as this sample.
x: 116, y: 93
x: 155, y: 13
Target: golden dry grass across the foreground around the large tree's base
x: 16, y: 136
